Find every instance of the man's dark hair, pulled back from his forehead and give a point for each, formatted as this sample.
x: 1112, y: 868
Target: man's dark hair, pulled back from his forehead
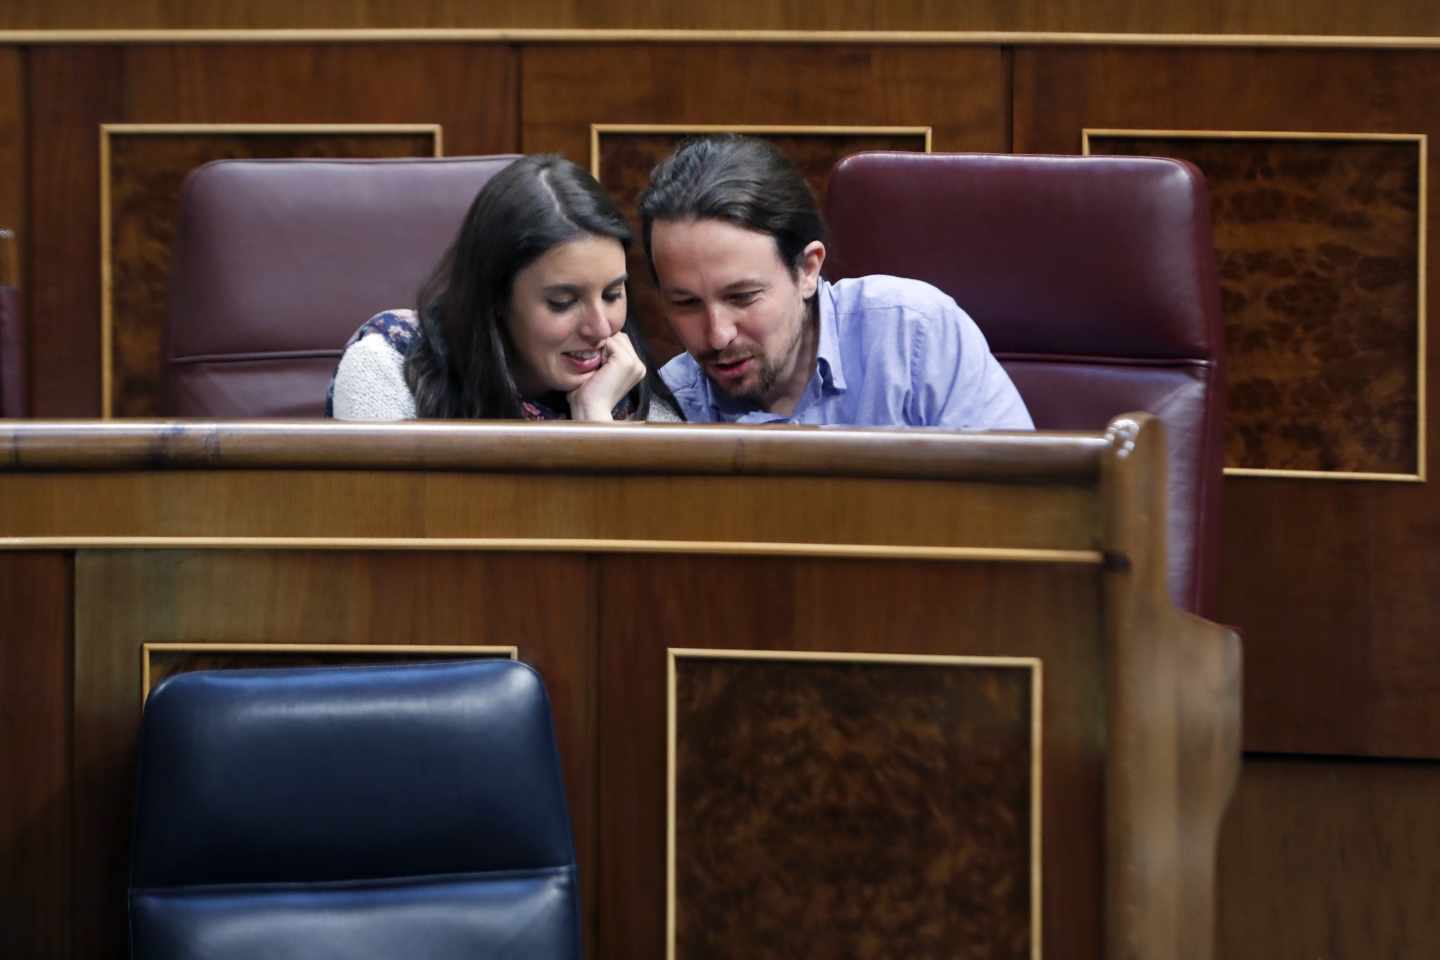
x: 741, y: 181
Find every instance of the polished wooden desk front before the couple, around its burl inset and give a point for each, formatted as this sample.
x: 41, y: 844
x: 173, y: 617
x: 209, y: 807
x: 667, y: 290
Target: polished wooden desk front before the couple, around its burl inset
x: 594, y: 551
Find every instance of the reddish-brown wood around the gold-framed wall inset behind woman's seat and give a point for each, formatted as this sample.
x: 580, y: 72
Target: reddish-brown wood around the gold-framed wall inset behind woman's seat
x: 470, y: 90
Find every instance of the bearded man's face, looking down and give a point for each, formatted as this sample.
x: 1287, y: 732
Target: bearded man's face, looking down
x: 738, y: 309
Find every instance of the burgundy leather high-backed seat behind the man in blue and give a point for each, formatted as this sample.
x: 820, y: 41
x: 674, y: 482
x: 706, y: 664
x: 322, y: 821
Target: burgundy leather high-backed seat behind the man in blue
x: 1095, y: 283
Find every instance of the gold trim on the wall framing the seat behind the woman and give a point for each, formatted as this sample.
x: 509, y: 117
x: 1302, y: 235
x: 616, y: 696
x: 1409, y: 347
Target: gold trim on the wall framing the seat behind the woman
x: 107, y: 280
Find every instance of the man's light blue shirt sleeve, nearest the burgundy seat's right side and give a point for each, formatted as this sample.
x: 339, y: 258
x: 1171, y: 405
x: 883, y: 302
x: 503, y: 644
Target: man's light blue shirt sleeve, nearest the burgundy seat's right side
x: 957, y: 381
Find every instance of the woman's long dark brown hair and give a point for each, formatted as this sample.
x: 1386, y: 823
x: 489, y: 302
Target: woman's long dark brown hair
x: 462, y: 363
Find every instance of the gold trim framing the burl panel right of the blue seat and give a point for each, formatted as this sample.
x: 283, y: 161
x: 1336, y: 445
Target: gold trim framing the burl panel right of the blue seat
x: 1036, y: 667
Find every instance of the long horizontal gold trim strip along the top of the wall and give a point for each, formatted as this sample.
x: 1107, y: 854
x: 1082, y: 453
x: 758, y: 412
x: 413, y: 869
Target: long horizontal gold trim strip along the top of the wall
x: 559, y: 37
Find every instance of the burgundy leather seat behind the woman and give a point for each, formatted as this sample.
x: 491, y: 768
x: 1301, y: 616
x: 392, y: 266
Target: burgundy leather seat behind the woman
x: 279, y: 261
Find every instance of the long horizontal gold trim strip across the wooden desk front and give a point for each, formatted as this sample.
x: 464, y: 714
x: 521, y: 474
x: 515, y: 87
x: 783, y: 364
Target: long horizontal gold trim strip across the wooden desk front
x: 559, y: 545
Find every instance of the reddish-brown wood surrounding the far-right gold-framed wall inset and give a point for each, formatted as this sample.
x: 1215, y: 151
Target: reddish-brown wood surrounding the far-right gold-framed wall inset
x: 1323, y: 579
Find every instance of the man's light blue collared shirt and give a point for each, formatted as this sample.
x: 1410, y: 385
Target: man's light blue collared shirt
x: 892, y: 353
